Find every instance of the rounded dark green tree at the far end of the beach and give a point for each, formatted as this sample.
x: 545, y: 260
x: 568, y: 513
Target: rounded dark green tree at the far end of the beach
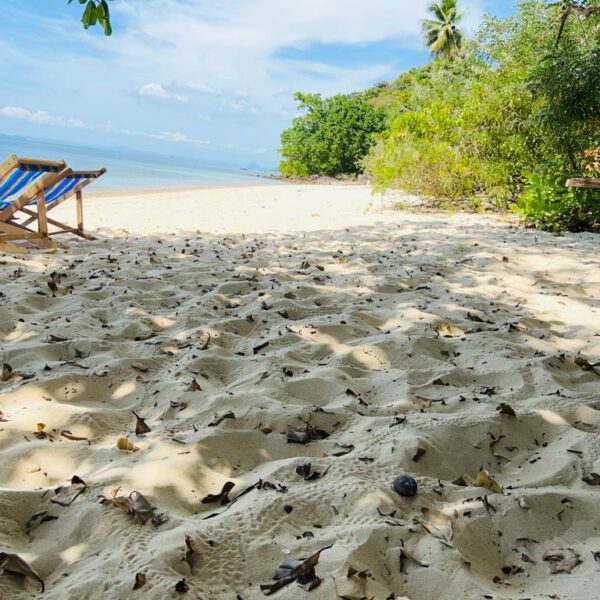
x: 332, y: 137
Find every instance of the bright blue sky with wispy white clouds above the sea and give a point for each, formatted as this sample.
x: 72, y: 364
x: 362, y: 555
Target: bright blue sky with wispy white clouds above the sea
x: 208, y: 79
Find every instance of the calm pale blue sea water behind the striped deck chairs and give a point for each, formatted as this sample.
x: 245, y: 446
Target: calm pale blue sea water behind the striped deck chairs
x: 130, y: 170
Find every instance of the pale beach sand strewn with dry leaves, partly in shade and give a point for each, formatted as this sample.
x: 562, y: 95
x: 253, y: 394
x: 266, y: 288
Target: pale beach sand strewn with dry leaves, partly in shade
x: 223, y: 317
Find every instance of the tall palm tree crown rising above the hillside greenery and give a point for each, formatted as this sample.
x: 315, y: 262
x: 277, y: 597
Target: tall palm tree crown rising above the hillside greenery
x: 442, y: 34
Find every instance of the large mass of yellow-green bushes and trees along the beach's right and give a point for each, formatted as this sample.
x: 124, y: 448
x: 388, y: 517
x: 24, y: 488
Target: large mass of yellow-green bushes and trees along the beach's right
x: 509, y: 119
